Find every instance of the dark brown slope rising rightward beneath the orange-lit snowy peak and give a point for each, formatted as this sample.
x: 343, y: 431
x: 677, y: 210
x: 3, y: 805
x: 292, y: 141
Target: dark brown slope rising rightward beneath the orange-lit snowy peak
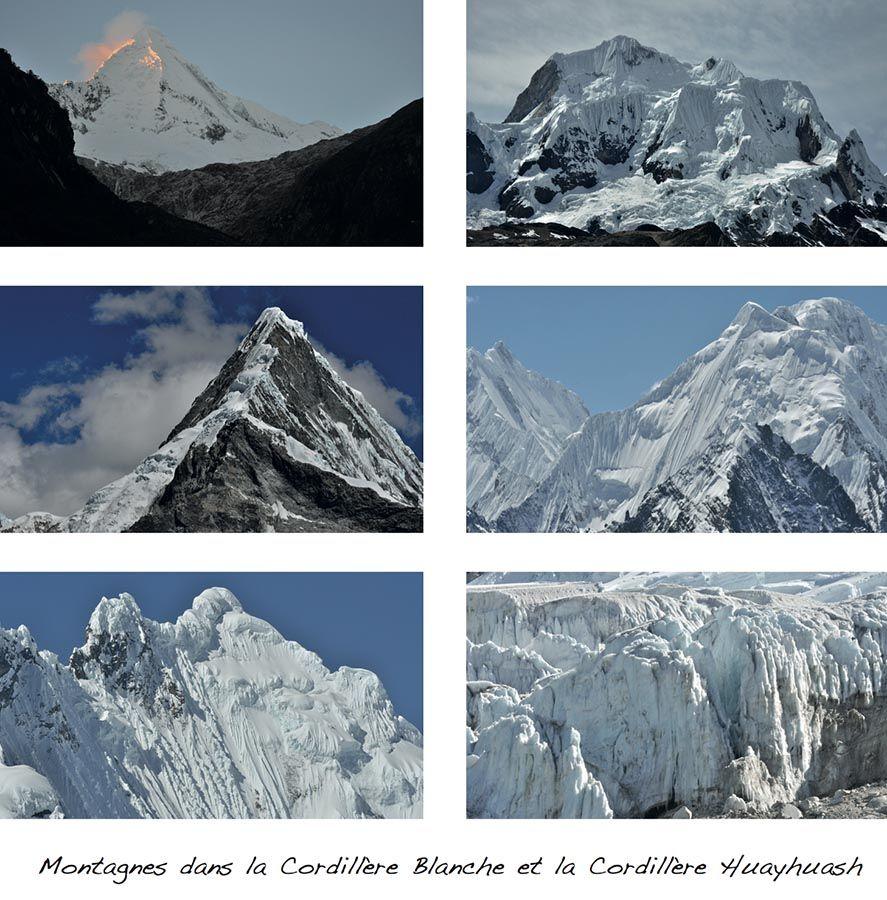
x: 362, y: 188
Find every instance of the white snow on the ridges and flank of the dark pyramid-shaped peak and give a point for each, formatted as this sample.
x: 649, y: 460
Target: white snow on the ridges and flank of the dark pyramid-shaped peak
x: 387, y: 466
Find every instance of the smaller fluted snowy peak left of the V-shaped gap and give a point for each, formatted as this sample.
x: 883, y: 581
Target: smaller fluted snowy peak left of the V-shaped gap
x: 517, y: 424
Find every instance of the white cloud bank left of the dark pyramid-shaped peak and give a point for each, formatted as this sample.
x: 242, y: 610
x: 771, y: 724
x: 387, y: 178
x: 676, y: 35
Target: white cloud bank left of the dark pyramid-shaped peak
x: 98, y: 425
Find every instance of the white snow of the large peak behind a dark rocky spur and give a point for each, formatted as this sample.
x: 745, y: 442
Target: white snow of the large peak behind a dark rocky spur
x: 814, y: 372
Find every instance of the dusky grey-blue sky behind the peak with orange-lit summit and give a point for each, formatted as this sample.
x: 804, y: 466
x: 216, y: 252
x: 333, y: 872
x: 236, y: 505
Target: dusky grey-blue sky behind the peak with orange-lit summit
x: 348, y: 62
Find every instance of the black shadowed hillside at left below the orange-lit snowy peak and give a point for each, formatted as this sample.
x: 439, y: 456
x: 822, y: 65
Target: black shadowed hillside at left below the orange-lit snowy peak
x: 48, y: 199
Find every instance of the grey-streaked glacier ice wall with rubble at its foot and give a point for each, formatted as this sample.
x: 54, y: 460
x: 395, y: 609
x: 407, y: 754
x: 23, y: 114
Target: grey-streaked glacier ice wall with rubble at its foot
x: 632, y: 703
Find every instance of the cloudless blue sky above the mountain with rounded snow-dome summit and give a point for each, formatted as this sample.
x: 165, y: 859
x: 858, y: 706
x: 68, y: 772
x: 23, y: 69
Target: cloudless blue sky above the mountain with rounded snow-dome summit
x: 364, y: 620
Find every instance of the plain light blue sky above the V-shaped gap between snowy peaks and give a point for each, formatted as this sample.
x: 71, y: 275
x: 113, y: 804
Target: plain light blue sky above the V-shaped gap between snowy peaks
x: 610, y: 345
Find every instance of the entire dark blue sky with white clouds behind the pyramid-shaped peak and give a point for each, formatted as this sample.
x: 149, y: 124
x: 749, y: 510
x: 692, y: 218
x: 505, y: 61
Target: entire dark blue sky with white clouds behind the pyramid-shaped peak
x: 93, y: 379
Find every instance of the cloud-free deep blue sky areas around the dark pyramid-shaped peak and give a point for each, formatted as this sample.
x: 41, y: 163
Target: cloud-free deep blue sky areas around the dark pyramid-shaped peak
x: 44, y: 325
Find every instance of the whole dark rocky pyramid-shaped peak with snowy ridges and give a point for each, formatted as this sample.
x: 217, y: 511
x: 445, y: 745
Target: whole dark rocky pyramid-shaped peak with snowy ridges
x: 276, y: 442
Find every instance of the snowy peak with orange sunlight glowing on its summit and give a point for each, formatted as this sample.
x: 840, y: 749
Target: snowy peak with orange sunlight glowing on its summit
x: 148, y: 108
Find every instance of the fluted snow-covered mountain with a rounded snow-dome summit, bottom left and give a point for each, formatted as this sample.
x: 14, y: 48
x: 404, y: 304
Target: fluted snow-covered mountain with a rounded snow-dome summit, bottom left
x: 213, y: 716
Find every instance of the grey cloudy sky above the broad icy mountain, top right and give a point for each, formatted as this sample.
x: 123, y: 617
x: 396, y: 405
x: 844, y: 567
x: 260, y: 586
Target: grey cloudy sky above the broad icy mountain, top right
x: 836, y: 48
